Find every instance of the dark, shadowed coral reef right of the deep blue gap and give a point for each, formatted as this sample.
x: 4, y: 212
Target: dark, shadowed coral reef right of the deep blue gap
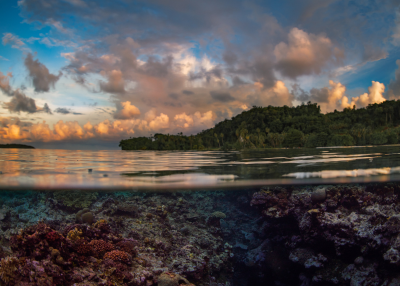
x: 339, y: 234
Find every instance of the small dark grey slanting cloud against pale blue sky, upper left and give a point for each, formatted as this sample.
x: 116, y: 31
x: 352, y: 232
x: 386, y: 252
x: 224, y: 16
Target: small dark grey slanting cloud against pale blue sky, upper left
x: 41, y: 77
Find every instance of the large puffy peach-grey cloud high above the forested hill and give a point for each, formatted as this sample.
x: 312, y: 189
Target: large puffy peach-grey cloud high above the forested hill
x: 305, y: 54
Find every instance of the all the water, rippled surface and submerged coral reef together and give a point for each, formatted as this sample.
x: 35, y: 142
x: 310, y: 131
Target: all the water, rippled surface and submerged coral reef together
x: 277, y: 217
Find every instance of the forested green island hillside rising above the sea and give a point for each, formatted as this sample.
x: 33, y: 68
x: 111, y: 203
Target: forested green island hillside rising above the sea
x: 273, y: 127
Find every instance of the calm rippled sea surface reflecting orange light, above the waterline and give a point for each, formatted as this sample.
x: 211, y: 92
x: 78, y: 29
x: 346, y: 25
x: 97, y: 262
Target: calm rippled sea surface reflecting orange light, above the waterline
x: 65, y: 169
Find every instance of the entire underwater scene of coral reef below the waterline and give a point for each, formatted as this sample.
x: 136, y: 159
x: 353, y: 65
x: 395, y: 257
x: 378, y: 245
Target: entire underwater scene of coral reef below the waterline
x: 343, y: 234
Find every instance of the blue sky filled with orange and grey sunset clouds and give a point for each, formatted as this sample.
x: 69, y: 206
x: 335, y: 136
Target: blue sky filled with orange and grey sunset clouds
x: 78, y: 74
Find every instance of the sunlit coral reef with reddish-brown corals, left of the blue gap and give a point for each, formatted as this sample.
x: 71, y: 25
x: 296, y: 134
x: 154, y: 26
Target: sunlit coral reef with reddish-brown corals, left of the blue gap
x: 135, y: 239
